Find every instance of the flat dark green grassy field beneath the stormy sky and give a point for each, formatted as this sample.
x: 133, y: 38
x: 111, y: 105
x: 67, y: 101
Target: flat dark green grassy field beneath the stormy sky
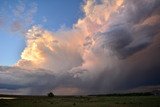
x: 85, y: 101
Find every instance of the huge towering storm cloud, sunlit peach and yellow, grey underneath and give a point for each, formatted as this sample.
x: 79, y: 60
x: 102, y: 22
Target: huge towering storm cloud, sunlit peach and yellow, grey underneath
x: 116, y: 42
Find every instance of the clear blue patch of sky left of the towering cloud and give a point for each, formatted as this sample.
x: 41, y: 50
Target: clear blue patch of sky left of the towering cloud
x: 53, y: 15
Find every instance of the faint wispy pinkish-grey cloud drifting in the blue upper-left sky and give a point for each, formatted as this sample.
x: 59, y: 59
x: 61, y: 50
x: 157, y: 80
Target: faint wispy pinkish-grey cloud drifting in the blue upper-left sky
x: 23, y: 17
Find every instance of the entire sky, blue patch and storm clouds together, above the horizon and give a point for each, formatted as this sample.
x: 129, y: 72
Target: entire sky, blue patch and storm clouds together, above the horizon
x: 78, y: 47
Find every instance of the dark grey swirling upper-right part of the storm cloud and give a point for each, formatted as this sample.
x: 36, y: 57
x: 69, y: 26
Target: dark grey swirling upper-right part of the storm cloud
x: 132, y: 29
